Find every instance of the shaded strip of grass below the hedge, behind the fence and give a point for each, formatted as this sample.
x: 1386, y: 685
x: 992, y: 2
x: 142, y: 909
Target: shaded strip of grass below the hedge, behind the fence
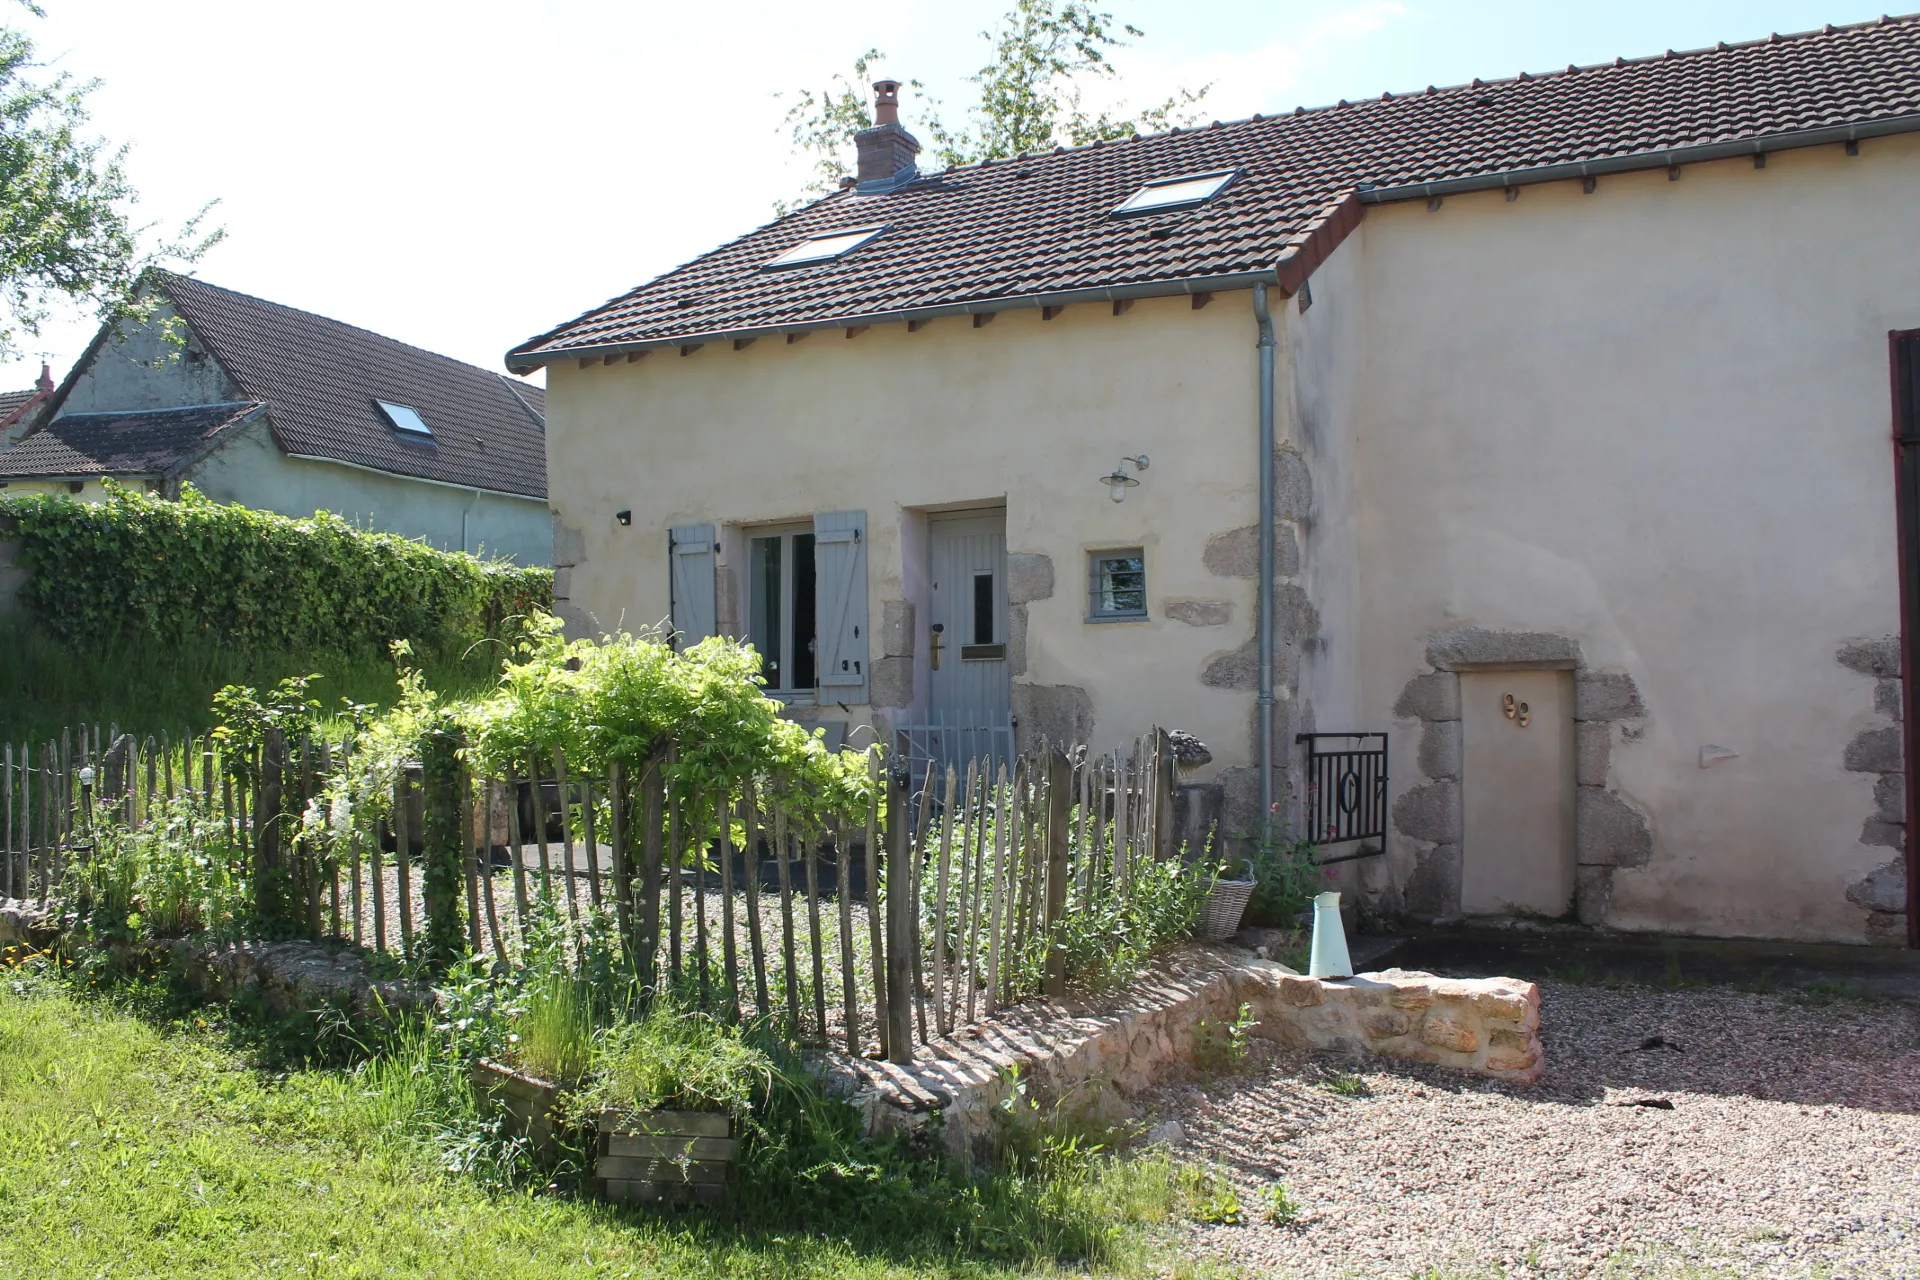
x: 147, y: 688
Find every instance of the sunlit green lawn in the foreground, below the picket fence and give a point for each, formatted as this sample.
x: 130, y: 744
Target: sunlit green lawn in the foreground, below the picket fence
x: 132, y: 1149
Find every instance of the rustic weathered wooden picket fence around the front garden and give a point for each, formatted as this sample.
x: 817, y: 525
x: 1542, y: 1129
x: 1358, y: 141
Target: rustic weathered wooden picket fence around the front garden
x: 721, y: 895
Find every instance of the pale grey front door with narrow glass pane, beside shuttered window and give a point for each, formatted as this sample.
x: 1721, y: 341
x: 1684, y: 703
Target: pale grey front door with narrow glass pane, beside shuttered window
x: 969, y: 694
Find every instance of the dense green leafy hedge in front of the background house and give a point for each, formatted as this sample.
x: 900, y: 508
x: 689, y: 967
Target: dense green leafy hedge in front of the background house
x: 139, y: 565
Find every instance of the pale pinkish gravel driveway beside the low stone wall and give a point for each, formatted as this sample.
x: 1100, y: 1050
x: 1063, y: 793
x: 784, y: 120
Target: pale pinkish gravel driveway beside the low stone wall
x: 1792, y: 1149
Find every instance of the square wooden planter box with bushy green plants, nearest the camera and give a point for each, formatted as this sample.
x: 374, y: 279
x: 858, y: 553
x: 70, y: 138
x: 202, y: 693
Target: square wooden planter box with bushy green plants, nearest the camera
x: 669, y: 1095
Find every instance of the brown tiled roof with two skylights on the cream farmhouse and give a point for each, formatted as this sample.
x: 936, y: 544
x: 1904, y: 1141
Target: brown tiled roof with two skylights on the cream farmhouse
x: 1042, y: 225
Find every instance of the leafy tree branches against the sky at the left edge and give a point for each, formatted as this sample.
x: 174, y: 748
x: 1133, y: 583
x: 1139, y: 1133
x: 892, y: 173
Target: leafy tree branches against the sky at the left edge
x: 66, y: 206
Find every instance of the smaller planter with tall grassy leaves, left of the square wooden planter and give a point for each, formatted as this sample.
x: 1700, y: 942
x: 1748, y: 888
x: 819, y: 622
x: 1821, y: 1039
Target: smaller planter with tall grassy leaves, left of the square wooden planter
x: 546, y: 1056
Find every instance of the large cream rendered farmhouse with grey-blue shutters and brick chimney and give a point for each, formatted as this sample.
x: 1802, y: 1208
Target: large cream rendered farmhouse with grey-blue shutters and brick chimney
x: 1539, y: 425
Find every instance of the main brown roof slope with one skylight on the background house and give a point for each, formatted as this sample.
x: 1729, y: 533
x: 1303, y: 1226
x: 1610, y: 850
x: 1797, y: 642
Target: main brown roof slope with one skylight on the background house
x: 322, y: 379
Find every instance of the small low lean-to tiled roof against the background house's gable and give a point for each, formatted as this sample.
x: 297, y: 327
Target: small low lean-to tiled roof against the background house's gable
x: 149, y: 442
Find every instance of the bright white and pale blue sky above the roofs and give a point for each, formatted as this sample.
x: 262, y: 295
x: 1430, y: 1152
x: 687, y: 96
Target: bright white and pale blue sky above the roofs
x: 464, y: 176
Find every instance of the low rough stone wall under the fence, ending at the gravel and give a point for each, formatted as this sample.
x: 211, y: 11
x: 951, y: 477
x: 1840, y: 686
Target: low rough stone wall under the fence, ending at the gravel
x: 1092, y: 1058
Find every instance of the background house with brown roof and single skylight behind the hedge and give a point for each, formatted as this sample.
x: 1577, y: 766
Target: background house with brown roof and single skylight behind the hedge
x: 289, y: 412
